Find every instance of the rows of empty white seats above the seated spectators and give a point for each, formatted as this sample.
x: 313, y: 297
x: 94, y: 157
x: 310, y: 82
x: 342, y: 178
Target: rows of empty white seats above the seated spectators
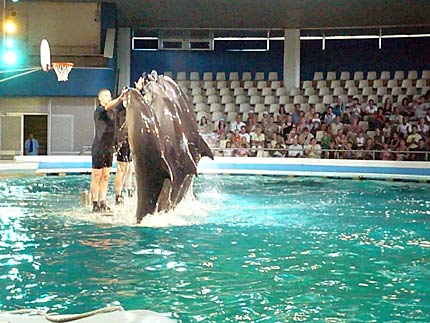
x: 221, y: 98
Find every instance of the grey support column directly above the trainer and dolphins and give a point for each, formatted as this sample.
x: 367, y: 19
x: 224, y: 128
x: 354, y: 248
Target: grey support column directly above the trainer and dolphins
x: 124, y: 57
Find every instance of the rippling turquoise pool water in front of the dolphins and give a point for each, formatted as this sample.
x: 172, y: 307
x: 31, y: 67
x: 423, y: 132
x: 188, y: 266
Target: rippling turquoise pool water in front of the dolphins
x: 259, y: 249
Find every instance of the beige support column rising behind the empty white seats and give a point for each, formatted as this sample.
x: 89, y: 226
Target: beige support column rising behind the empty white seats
x: 292, y: 59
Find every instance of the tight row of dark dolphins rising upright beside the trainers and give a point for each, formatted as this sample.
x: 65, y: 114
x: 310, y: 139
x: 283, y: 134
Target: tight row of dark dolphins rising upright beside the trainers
x: 165, y: 143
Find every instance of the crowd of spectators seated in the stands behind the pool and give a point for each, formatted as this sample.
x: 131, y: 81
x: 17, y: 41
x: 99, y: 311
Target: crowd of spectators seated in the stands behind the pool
x: 347, y: 131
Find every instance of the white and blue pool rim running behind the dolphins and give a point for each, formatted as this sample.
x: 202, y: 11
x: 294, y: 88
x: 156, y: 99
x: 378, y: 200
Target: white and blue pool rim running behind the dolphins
x: 339, y: 168
